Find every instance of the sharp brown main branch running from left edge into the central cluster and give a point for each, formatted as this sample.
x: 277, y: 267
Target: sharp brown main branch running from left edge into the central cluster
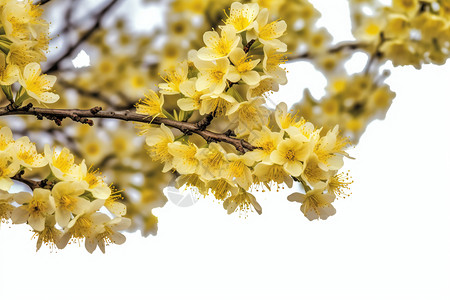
x: 86, y: 116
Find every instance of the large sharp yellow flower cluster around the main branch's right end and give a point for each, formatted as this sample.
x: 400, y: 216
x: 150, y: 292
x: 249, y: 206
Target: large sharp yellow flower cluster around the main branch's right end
x: 224, y: 82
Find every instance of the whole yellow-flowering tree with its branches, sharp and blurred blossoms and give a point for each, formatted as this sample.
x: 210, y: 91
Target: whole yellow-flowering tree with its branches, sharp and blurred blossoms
x: 208, y: 126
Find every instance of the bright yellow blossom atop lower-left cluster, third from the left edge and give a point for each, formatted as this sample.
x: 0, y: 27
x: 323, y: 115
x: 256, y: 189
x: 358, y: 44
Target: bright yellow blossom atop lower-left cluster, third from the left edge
x: 62, y: 163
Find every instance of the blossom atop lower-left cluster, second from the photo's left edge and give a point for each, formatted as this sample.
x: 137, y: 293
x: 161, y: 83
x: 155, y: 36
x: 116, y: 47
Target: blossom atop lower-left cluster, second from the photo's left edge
x: 26, y: 154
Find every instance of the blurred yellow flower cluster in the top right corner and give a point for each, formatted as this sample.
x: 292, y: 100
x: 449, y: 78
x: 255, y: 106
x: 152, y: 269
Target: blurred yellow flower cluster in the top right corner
x: 409, y: 32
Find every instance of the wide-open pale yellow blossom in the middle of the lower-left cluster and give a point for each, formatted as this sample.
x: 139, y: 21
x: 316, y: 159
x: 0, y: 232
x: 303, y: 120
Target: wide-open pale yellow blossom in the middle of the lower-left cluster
x: 67, y: 200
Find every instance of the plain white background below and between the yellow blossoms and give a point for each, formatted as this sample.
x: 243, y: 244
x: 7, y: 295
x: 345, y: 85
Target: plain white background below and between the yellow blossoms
x: 389, y: 240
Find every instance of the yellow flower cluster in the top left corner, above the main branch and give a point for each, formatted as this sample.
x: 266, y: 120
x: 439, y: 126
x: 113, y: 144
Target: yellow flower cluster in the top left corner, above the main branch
x: 23, y: 43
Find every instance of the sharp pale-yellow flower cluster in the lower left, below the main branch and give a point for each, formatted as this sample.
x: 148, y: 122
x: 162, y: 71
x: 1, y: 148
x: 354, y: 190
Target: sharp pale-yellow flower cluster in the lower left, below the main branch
x: 66, y: 204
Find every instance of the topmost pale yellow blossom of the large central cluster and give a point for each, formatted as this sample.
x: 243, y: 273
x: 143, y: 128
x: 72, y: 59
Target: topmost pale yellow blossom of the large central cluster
x: 242, y: 16
